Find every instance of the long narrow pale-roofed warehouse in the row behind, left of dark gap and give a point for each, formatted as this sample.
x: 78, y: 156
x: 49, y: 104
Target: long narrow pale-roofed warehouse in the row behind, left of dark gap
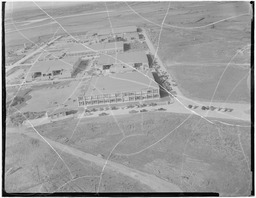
x: 80, y: 50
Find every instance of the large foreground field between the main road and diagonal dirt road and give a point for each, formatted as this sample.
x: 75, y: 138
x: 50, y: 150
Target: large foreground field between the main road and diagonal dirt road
x: 197, y: 156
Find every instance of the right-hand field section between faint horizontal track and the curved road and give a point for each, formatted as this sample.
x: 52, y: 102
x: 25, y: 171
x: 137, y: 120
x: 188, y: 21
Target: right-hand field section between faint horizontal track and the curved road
x: 190, y: 78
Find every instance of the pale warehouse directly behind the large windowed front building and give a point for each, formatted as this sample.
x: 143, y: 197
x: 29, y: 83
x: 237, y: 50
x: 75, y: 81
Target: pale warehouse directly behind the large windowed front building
x: 136, y: 60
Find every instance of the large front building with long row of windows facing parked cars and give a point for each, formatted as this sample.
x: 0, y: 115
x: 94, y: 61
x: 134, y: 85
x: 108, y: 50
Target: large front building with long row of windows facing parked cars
x: 120, y: 88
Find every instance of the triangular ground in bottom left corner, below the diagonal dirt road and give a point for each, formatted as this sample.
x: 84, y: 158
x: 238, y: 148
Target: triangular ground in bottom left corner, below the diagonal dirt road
x: 32, y: 166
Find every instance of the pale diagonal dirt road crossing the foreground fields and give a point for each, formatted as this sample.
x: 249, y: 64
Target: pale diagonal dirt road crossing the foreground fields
x: 155, y: 183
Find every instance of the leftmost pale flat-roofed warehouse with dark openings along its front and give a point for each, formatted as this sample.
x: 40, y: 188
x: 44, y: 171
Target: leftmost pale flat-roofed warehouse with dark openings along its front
x: 50, y: 69
